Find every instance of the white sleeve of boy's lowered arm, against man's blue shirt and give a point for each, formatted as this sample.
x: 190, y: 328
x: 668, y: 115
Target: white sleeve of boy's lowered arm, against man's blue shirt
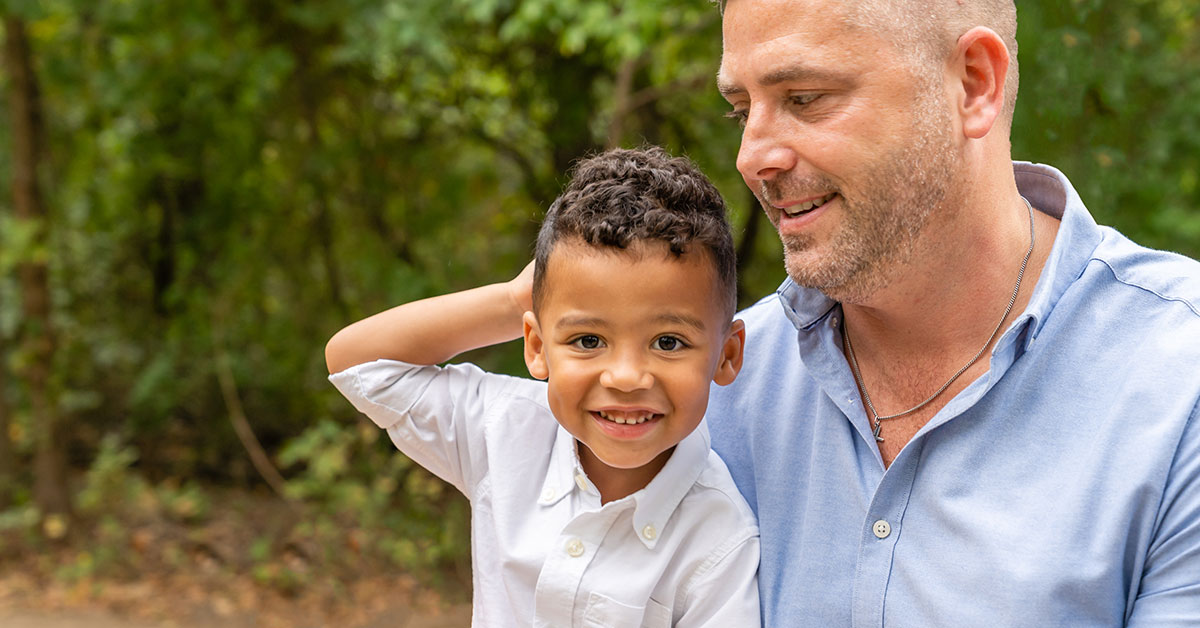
x: 728, y: 595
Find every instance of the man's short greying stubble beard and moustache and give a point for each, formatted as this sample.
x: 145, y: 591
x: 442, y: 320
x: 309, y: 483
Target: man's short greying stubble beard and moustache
x: 881, y: 218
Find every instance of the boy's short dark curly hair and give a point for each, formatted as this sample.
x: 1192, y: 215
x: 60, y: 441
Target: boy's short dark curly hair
x: 622, y: 198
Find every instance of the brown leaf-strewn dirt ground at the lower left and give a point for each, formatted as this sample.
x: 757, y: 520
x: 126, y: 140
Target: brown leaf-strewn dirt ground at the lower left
x: 247, y: 564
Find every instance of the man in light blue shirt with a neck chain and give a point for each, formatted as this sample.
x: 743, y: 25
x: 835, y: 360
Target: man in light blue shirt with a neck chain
x: 969, y: 405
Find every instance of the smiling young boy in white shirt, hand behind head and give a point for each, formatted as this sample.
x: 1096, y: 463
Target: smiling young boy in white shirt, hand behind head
x: 619, y: 515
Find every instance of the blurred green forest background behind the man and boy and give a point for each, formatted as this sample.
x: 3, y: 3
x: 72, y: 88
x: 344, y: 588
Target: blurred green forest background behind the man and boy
x: 196, y: 195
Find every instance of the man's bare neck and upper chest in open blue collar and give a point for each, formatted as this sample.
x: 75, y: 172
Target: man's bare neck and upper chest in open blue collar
x: 940, y: 310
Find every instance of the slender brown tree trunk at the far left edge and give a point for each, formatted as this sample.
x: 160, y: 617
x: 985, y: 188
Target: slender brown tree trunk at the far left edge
x: 38, y: 338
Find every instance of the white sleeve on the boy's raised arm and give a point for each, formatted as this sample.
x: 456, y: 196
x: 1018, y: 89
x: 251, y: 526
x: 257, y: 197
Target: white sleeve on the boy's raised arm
x: 436, y: 416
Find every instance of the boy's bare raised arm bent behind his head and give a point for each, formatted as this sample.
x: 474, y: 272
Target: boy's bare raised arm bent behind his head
x: 436, y: 330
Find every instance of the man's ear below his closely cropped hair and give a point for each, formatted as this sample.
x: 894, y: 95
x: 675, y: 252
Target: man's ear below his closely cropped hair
x: 982, y: 64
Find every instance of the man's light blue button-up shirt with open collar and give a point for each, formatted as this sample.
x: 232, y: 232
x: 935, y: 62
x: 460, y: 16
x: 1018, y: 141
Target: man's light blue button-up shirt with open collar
x: 1060, y: 489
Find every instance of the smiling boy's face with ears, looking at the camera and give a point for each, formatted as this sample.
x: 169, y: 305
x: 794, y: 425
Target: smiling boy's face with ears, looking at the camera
x: 629, y: 343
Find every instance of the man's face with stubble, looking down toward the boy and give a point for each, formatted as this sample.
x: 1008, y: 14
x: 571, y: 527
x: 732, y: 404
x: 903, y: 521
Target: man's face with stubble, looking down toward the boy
x: 848, y: 148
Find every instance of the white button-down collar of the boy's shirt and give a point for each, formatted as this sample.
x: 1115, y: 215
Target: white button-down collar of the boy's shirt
x: 655, y: 505
